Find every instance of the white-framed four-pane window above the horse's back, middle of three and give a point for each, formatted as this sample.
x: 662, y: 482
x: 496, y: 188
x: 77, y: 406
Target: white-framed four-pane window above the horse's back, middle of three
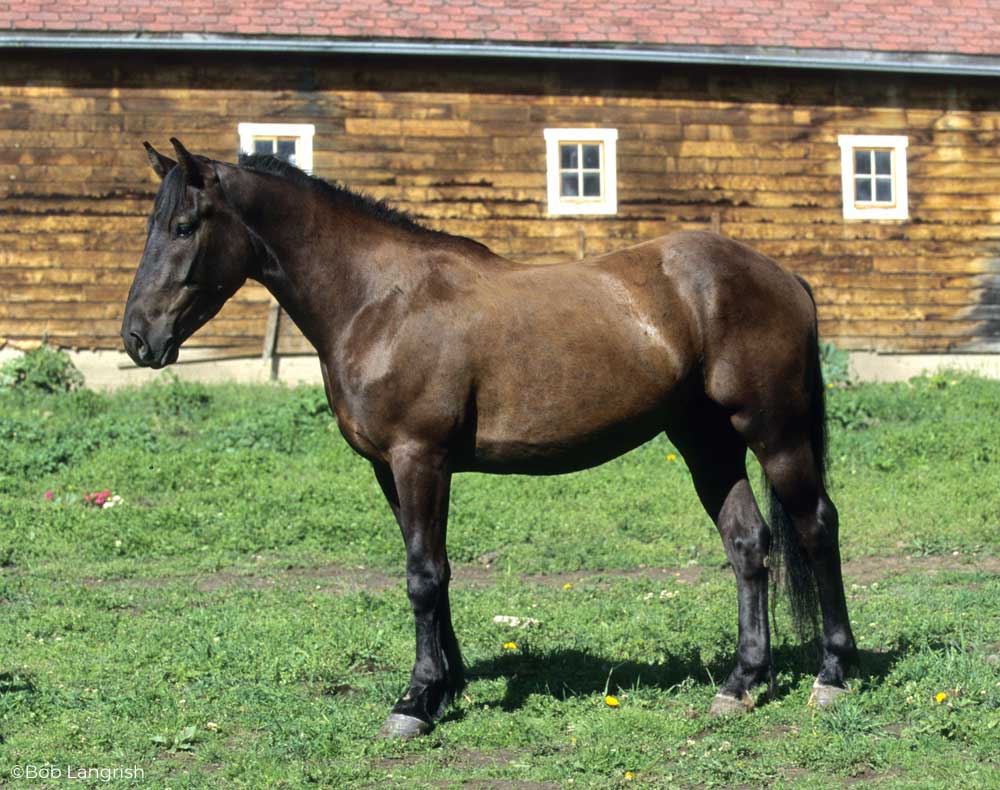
x: 582, y: 172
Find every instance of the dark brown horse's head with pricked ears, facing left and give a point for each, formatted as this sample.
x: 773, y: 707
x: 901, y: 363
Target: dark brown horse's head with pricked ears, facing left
x: 198, y: 253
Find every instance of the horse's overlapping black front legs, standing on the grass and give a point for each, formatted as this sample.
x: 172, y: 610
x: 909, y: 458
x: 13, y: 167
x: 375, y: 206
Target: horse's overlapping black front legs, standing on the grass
x: 417, y: 484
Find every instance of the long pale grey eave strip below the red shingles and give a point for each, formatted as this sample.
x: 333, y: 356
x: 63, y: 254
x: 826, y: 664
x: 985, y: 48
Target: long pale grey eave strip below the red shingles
x: 767, y: 57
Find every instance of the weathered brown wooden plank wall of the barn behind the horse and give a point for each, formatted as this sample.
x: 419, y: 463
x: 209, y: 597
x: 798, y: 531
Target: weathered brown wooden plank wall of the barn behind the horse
x: 460, y: 146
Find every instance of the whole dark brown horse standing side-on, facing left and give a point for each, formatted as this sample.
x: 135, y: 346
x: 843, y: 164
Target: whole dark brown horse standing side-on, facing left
x: 440, y: 357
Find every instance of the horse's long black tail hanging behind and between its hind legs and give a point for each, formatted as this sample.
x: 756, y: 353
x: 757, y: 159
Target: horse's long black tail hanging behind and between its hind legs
x: 786, y: 554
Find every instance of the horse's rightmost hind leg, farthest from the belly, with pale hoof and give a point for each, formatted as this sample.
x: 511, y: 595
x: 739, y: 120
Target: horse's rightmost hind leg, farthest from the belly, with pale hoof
x: 795, y: 477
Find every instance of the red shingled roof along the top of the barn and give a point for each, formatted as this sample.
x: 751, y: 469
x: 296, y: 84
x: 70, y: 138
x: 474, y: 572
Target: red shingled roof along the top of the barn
x: 966, y: 27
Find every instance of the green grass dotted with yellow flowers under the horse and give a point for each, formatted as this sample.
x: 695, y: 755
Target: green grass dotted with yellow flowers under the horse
x: 241, y: 619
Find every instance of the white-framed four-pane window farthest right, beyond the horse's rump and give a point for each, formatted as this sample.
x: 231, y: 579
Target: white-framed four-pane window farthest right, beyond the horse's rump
x: 873, y: 173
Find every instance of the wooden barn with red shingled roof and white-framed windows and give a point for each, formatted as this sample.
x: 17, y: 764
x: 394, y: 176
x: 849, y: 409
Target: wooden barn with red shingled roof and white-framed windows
x: 857, y: 144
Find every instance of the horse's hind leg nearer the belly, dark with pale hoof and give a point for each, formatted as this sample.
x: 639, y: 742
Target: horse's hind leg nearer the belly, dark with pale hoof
x: 716, y: 457
